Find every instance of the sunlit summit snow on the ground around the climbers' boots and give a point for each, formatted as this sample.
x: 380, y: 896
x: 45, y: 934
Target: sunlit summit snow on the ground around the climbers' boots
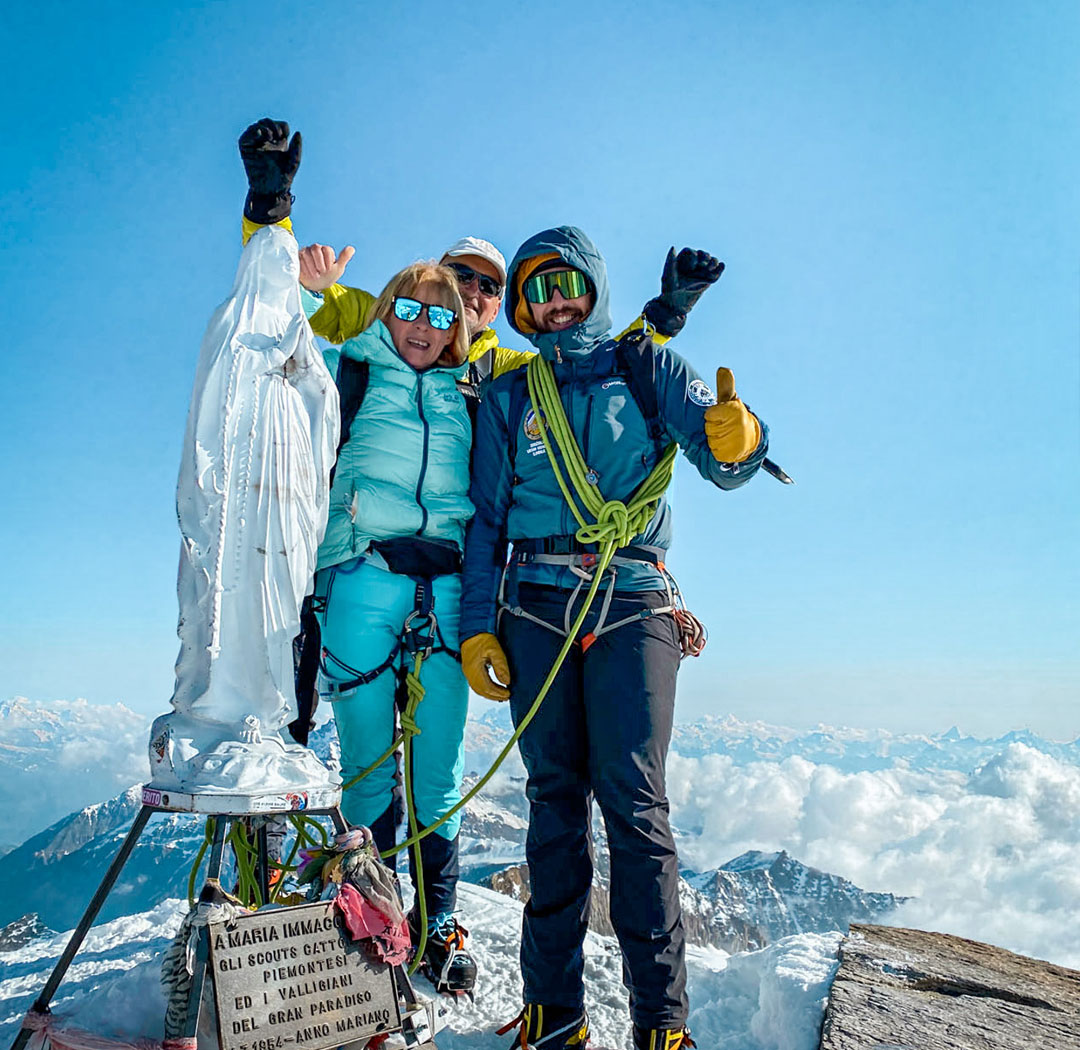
x: 773, y: 1000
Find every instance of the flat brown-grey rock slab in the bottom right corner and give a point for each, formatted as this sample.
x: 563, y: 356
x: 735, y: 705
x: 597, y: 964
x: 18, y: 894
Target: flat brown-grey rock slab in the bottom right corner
x: 910, y: 990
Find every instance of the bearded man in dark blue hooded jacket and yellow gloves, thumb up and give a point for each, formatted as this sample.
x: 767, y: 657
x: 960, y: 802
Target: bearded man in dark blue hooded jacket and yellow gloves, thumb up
x: 604, y: 729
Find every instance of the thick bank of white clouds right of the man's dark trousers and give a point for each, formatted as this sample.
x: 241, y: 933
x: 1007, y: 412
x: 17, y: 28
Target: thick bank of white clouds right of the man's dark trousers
x: 994, y: 856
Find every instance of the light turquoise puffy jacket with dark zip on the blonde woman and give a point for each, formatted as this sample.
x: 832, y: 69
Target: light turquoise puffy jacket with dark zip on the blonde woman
x: 404, y: 470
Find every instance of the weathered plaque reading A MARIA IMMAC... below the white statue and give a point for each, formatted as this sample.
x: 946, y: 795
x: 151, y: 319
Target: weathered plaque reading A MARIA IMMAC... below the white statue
x: 293, y: 979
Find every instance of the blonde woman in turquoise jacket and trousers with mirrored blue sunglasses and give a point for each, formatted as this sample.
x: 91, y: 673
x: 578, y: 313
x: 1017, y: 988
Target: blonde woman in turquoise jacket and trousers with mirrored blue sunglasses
x: 390, y: 584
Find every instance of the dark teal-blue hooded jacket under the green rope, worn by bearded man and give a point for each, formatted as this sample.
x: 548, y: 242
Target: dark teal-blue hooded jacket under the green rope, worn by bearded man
x: 515, y: 489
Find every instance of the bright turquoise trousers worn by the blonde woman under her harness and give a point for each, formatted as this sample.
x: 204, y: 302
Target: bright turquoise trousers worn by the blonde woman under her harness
x: 367, y: 609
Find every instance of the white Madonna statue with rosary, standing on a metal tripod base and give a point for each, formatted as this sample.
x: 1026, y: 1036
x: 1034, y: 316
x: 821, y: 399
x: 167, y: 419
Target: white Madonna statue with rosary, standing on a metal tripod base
x: 252, y: 501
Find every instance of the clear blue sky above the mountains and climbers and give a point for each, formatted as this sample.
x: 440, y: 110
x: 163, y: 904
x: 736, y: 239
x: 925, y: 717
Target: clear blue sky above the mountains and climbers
x: 893, y: 187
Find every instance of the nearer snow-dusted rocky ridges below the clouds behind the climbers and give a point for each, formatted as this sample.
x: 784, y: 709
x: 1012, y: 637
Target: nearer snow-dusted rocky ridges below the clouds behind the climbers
x: 747, y: 905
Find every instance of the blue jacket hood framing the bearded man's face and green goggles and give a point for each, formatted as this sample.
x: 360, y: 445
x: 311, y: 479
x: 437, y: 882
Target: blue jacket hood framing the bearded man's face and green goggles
x: 576, y: 250
